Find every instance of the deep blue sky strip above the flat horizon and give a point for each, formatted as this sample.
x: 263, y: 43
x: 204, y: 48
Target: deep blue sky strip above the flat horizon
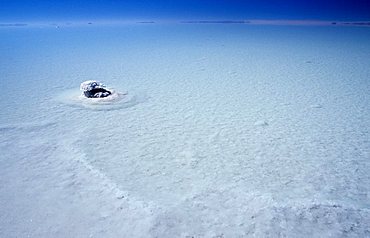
x: 23, y: 10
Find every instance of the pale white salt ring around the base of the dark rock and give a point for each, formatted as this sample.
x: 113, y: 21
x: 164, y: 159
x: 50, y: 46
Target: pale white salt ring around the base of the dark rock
x: 117, y: 100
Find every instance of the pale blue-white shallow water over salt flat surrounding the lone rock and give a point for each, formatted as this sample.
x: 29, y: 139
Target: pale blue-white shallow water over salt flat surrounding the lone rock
x: 230, y: 130
